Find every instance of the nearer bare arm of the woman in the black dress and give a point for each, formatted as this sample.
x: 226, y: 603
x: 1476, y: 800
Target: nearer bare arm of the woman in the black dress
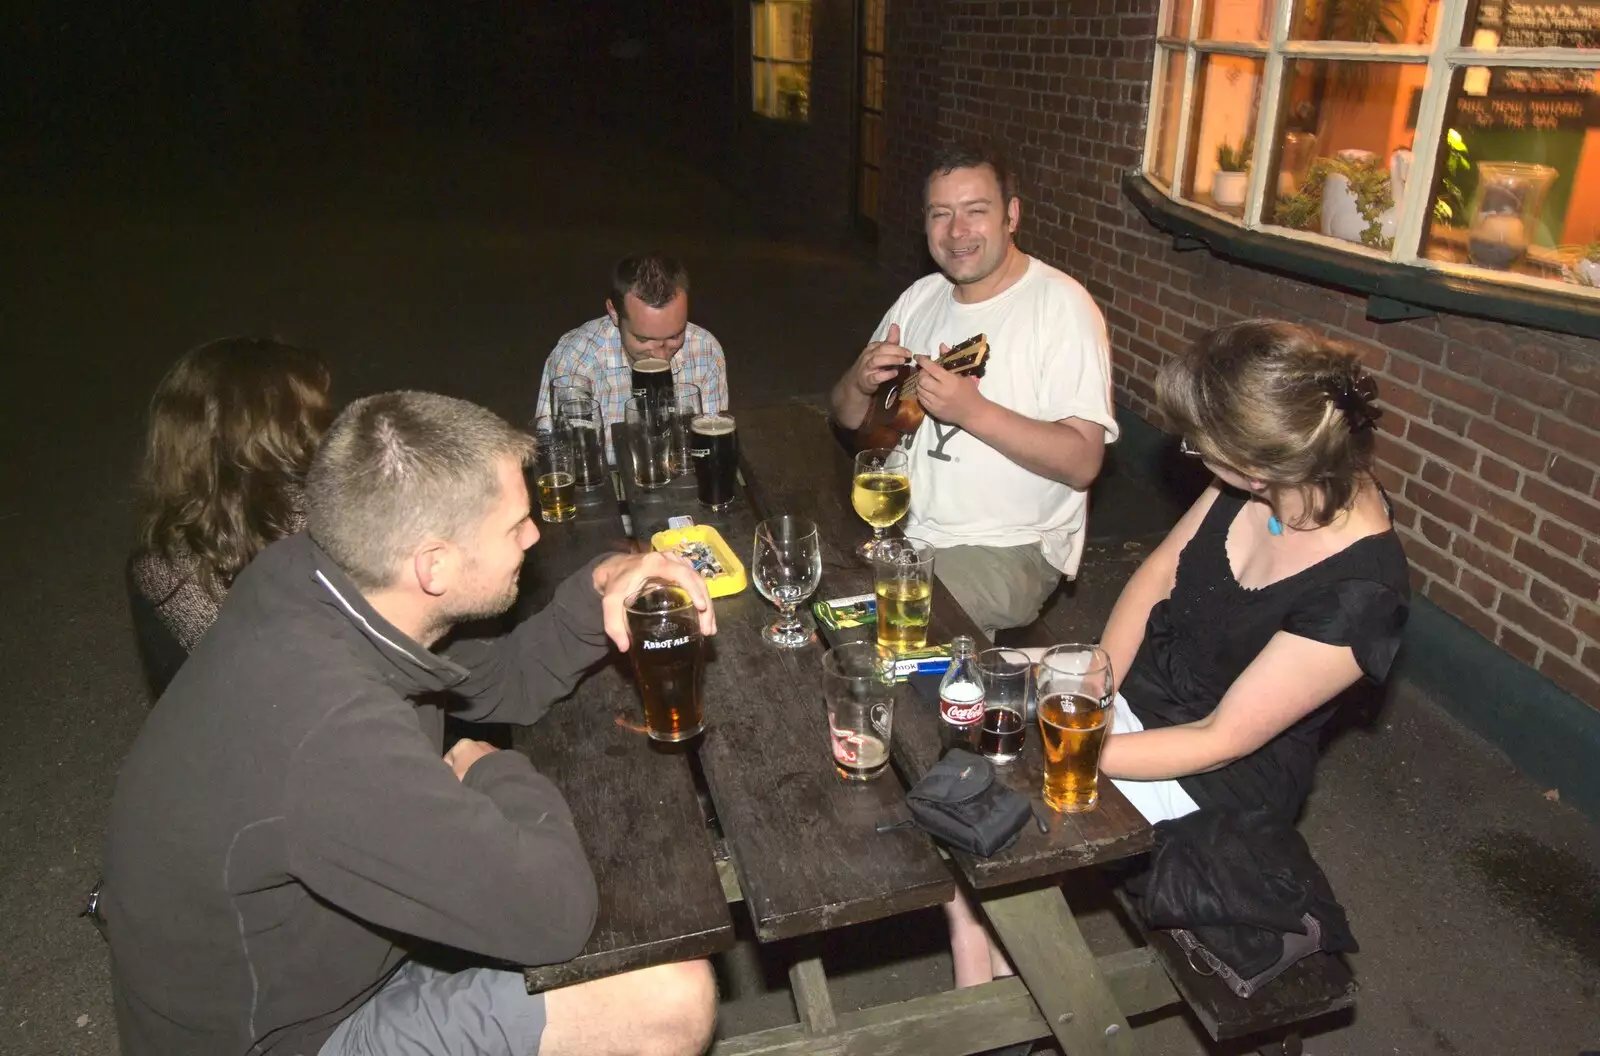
x: 1287, y: 681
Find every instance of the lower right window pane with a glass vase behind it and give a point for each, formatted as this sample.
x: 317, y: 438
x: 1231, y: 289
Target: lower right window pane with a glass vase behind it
x: 1519, y: 175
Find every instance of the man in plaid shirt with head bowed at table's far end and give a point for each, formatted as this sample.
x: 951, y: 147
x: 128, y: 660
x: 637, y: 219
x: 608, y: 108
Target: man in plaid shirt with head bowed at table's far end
x: 646, y: 318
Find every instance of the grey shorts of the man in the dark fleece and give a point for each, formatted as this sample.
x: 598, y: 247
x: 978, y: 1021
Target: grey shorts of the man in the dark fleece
x: 430, y: 1012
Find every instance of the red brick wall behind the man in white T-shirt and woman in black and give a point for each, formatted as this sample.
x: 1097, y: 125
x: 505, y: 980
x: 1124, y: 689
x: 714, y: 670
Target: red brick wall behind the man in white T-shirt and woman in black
x: 1492, y: 434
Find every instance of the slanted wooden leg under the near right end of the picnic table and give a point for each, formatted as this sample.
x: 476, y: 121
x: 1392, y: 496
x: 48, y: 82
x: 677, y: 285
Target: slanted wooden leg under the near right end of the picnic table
x: 1046, y: 946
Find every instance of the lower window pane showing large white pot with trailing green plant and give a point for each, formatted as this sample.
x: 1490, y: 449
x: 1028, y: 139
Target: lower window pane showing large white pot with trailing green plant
x: 1346, y: 148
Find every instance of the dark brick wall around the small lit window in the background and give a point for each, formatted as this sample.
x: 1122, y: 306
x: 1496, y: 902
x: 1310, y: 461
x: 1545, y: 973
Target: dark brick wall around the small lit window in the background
x: 799, y: 175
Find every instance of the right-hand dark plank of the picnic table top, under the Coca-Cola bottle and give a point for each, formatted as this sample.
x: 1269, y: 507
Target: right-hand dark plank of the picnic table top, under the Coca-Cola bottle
x: 793, y: 465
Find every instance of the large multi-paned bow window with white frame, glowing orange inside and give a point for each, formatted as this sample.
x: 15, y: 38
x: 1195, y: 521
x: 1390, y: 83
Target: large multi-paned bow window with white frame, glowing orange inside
x: 1452, y: 135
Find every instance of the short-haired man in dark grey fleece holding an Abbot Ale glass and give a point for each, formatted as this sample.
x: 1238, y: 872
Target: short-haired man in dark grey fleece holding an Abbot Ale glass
x: 287, y: 834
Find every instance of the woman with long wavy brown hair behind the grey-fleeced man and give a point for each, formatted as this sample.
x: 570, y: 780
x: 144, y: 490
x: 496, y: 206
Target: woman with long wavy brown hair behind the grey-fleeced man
x: 233, y: 430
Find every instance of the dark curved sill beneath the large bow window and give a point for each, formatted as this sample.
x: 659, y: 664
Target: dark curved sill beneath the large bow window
x: 1394, y: 292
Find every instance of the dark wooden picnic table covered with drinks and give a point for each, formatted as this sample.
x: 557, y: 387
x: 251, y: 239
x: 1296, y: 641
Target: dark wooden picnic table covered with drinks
x: 802, y: 847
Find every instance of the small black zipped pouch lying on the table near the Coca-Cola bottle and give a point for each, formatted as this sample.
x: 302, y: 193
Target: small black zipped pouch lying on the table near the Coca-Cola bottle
x: 961, y: 802
